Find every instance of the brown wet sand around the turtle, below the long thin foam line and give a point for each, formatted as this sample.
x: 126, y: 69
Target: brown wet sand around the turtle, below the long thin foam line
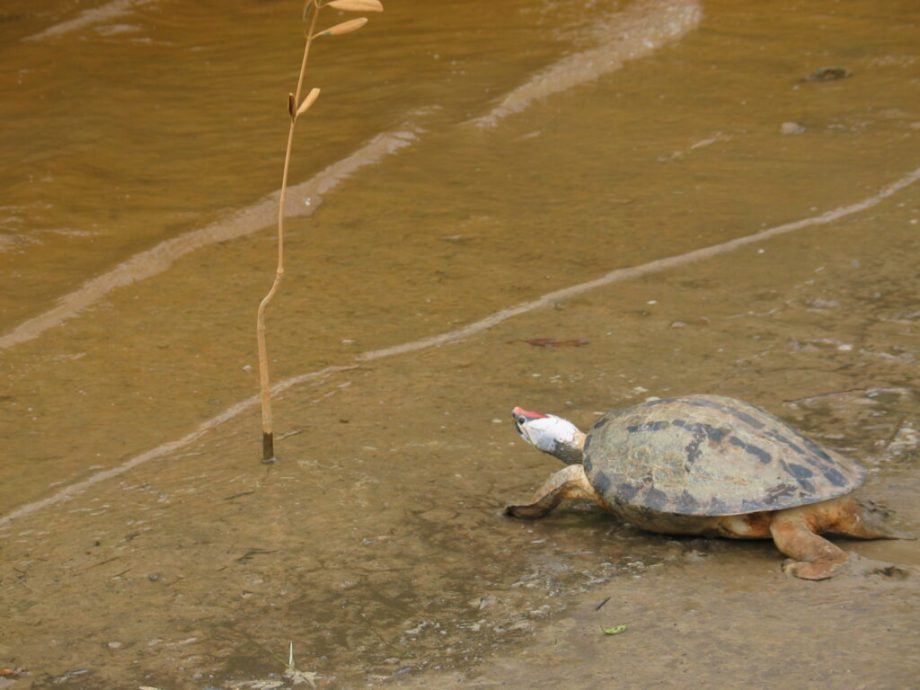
x: 389, y: 556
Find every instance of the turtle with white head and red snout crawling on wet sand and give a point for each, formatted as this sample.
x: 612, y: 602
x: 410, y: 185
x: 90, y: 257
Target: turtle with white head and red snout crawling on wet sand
x: 712, y: 466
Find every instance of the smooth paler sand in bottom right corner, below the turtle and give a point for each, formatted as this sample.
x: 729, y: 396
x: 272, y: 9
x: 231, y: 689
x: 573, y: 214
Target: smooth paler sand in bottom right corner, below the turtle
x: 719, y: 617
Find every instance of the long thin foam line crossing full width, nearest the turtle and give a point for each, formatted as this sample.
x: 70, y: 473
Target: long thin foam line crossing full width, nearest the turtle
x: 614, y: 276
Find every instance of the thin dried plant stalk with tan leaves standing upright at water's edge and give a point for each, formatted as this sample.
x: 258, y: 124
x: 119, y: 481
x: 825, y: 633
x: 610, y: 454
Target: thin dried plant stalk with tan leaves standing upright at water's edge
x: 296, y: 107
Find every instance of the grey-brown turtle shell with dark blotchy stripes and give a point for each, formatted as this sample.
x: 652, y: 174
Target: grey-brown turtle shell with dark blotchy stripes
x: 710, y: 455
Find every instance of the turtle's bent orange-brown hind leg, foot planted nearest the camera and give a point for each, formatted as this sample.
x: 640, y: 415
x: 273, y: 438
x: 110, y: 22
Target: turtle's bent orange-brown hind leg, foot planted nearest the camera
x: 812, y: 557
